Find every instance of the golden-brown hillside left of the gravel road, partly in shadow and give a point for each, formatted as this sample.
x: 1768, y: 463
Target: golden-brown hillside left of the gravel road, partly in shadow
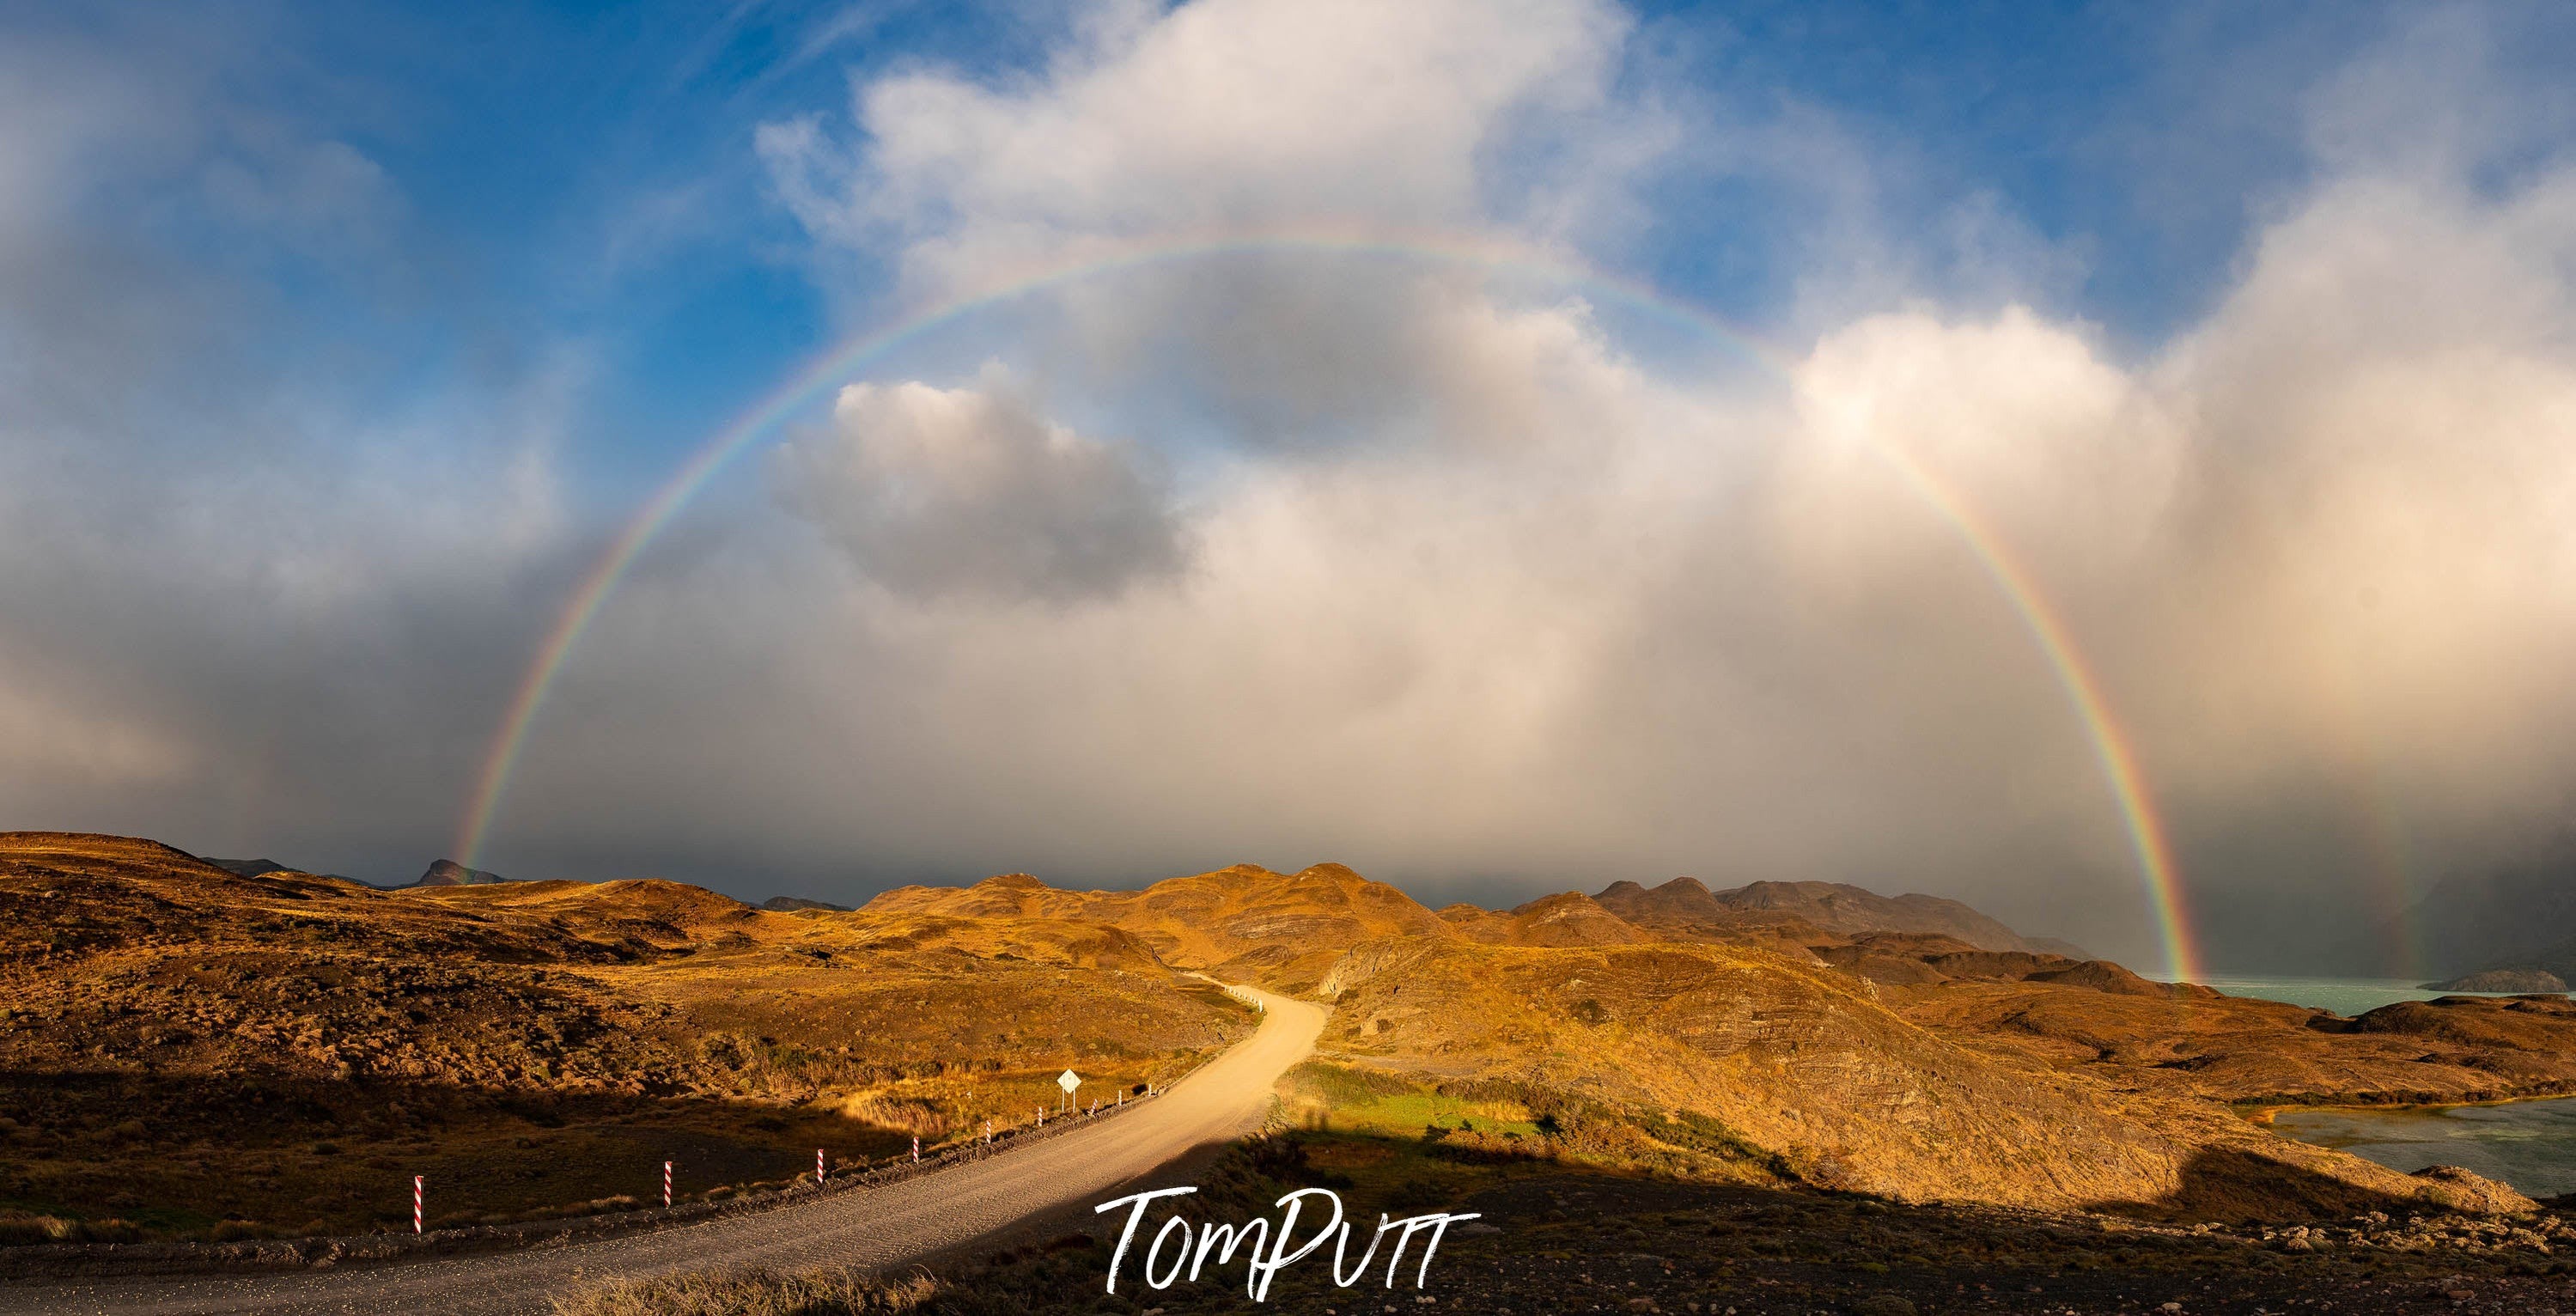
x: 187, y: 1049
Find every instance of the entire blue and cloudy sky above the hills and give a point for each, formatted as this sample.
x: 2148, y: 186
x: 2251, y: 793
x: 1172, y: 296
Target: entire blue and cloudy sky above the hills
x: 339, y: 341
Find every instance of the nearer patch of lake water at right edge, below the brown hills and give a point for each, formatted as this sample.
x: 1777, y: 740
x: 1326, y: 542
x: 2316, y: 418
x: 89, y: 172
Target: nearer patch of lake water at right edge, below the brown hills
x: 2526, y: 1145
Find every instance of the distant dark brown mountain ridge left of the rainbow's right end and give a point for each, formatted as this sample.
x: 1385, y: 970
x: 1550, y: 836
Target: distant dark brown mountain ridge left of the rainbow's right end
x: 1815, y: 905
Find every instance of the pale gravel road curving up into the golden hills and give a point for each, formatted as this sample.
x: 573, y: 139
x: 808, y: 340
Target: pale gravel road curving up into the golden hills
x: 882, y: 1227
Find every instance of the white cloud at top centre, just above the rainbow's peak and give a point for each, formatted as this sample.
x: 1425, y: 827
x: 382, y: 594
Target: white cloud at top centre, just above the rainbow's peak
x: 1215, y: 117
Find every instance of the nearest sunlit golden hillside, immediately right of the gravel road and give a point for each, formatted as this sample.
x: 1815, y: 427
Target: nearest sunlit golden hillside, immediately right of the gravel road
x: 1738, y: 1062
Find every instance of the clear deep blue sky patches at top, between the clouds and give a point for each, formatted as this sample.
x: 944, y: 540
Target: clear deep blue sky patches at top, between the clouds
x: 586, y: 182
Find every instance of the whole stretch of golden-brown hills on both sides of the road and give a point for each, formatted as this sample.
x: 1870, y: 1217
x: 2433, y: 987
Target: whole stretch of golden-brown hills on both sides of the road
x: 553, y: 1042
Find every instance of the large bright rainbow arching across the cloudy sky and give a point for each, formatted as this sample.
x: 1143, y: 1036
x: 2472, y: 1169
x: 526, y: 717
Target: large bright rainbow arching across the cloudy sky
x: 838, y: 364
